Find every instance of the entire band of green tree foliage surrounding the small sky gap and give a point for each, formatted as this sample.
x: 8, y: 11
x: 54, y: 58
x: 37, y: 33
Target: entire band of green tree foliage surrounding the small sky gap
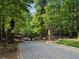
x: 60, y: 15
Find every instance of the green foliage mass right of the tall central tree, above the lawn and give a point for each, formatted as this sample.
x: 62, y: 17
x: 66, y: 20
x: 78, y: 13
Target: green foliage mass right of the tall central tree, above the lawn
x: 61, y: 15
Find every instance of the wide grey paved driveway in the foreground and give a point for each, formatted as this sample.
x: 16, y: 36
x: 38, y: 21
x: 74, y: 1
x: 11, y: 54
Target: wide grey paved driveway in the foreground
x: 43, y: 50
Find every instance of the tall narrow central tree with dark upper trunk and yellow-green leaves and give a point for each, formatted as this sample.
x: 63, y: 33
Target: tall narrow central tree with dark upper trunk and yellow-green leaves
x: 40, y: 11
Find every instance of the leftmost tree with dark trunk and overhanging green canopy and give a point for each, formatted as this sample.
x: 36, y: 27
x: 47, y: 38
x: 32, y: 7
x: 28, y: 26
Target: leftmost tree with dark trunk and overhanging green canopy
x: 12, y: 9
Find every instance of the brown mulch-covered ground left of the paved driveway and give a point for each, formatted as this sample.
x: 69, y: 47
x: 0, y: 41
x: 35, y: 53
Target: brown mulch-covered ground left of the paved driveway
x: 8, y: 52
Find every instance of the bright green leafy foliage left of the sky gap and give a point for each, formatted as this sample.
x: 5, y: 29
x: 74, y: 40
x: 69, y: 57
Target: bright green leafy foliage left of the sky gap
x: 17, y: 10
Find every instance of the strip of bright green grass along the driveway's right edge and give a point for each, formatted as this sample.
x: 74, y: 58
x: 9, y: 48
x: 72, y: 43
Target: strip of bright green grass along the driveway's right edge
x: 74, y: 43
